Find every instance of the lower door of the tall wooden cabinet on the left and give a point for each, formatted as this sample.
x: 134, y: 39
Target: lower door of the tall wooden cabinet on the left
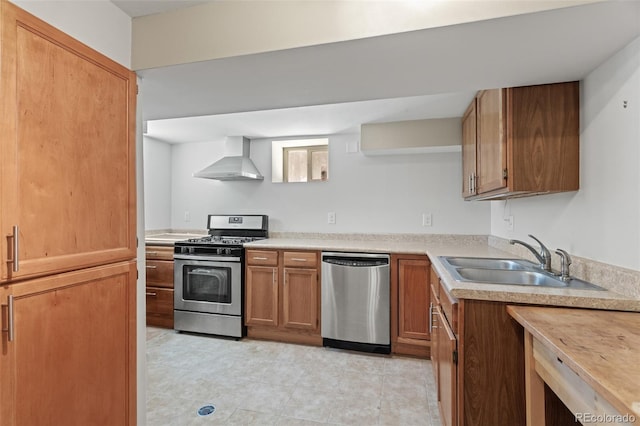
x: 72, y: 357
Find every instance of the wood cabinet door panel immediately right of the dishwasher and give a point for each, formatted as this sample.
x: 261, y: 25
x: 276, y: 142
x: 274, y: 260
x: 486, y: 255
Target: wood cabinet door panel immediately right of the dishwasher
x: 414, y: 295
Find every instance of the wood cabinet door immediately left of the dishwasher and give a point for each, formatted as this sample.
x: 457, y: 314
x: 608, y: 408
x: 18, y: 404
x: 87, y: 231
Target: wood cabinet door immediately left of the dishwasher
x: 300, y: 298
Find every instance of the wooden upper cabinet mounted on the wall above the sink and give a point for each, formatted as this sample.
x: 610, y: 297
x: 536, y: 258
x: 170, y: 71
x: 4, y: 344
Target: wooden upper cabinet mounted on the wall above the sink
x: 527, y: 141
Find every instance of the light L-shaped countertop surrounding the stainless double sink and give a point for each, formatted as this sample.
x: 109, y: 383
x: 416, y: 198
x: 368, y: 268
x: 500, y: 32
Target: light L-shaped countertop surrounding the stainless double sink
x: 463, y: 246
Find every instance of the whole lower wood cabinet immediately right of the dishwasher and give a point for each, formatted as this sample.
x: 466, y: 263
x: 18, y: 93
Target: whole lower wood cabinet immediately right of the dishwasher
x: 410, y: 296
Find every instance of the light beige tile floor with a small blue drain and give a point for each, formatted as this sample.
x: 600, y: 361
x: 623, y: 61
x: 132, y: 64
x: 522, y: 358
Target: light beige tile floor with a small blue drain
x: 253, y: 382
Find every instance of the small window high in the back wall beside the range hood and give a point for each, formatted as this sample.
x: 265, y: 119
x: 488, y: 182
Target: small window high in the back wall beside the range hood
x: 301, y: 160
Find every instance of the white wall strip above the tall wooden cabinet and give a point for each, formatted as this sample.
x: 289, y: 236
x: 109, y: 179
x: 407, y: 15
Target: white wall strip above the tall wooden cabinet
x: 99, y: 24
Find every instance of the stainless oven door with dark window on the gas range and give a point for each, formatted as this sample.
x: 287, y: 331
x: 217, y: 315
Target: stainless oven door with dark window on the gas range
x: 209, y: 286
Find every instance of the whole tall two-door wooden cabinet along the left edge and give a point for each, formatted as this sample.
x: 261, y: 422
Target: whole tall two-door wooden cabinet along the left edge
x: 68, y: 219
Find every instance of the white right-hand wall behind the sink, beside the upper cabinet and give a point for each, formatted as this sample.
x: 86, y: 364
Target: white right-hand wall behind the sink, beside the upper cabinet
x: 602, y: 220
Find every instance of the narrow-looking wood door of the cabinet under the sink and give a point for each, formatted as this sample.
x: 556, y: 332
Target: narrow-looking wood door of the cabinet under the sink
x: 447, y: 371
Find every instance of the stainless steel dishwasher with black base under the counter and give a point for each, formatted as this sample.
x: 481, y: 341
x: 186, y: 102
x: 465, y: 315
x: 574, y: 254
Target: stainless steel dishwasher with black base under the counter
x: 355, y: 301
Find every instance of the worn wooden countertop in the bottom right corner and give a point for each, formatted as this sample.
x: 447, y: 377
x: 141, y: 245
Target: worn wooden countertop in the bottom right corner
x: 602, y: 347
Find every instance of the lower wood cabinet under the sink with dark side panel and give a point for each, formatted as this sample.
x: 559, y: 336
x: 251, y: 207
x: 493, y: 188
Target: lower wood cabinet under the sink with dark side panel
x: 478, y: 361
